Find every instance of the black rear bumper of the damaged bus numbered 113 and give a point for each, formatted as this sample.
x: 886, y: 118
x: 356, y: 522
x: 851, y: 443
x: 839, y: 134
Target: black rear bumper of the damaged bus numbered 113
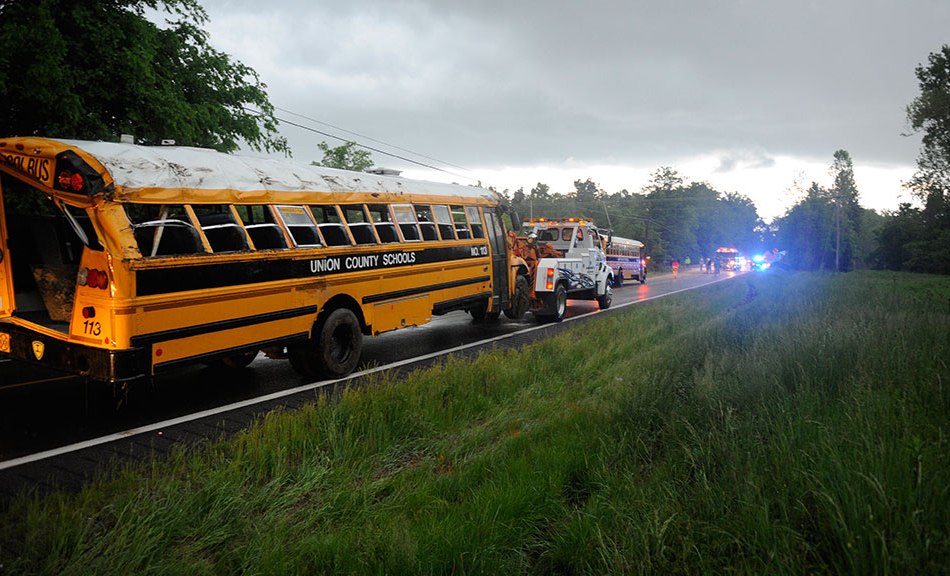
x: 98, y: 364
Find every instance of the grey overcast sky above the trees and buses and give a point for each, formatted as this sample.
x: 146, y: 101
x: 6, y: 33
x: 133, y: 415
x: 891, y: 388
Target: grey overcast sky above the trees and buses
x: 751, y: 96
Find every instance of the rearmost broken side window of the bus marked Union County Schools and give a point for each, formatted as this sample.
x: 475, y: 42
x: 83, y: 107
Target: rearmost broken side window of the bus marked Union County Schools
x: 163, y: 230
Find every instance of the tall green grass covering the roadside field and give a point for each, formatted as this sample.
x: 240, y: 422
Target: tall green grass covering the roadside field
x: 775, y: 424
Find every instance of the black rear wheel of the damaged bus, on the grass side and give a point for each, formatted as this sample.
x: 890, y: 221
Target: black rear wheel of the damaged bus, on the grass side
x: 334, y: 350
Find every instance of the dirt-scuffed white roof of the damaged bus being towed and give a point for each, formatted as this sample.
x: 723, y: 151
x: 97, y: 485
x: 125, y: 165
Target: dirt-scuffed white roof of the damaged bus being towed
x: 145, y: 170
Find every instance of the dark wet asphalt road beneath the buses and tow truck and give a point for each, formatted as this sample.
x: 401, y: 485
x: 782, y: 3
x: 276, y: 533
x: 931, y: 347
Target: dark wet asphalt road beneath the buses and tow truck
x: 60, y: 412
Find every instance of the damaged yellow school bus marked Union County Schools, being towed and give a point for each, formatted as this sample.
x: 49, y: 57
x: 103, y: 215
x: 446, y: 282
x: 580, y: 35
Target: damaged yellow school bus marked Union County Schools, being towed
x: 119, y: 262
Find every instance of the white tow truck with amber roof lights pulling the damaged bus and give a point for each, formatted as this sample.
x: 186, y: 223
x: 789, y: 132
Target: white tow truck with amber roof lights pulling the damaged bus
x: 566, y: 259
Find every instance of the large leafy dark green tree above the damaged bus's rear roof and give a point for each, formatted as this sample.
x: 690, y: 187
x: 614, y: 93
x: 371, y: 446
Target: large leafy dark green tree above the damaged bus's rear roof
x: 98, y: 68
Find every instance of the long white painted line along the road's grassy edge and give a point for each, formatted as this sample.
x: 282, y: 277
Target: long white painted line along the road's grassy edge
x: 14, y: 462
